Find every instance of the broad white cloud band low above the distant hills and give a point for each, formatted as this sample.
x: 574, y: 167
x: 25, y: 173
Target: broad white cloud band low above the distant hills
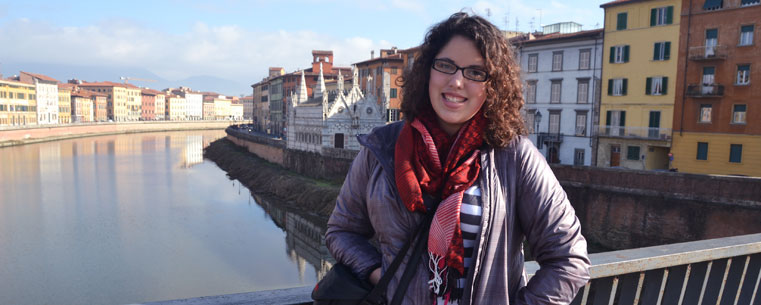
x: 223, y: 51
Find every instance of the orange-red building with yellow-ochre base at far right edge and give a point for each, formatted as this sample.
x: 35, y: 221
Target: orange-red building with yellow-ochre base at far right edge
x: 717, y: 116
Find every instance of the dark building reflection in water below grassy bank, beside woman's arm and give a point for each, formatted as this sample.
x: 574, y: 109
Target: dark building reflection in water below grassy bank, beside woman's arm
x: 305, y: 238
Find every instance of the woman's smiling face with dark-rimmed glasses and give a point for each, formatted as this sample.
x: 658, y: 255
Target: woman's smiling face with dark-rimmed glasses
x: 454, y: 98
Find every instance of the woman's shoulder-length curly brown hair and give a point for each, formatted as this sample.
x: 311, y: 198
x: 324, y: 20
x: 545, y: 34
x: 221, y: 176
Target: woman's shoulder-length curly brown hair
x: 504, y: 98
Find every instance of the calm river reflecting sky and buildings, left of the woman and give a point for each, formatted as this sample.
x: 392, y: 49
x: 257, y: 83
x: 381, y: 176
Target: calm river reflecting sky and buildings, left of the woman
x: 141, y: 217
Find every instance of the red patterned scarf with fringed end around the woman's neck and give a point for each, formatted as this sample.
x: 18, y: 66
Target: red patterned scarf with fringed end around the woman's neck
x: 418, y: 155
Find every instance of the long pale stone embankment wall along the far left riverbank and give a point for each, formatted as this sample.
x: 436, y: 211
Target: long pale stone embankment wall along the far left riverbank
x: 10, y: 137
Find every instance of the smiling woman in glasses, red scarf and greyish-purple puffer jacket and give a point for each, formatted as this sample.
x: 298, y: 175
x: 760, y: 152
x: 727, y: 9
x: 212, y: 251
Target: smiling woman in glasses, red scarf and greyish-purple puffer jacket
x: 461, y: 144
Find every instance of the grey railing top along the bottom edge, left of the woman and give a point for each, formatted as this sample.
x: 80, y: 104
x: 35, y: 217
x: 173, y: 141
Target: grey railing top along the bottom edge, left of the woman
x: 289, y: 296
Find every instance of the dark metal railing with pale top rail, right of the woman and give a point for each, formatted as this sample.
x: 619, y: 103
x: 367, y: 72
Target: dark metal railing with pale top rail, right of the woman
x: 713, y: 271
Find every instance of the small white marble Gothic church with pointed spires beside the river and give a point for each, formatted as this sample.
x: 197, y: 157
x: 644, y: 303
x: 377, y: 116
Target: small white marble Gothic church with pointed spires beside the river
x: 331, y: 119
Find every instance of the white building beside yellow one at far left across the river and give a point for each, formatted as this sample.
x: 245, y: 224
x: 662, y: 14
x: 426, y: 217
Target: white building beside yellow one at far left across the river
x: 46, y: 93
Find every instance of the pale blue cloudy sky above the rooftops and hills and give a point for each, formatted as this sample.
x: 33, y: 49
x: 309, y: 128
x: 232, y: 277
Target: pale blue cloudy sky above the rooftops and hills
x: 238, y: 40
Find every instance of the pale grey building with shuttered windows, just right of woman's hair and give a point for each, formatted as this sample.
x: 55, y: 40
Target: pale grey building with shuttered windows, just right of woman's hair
x: 561, y: 74
